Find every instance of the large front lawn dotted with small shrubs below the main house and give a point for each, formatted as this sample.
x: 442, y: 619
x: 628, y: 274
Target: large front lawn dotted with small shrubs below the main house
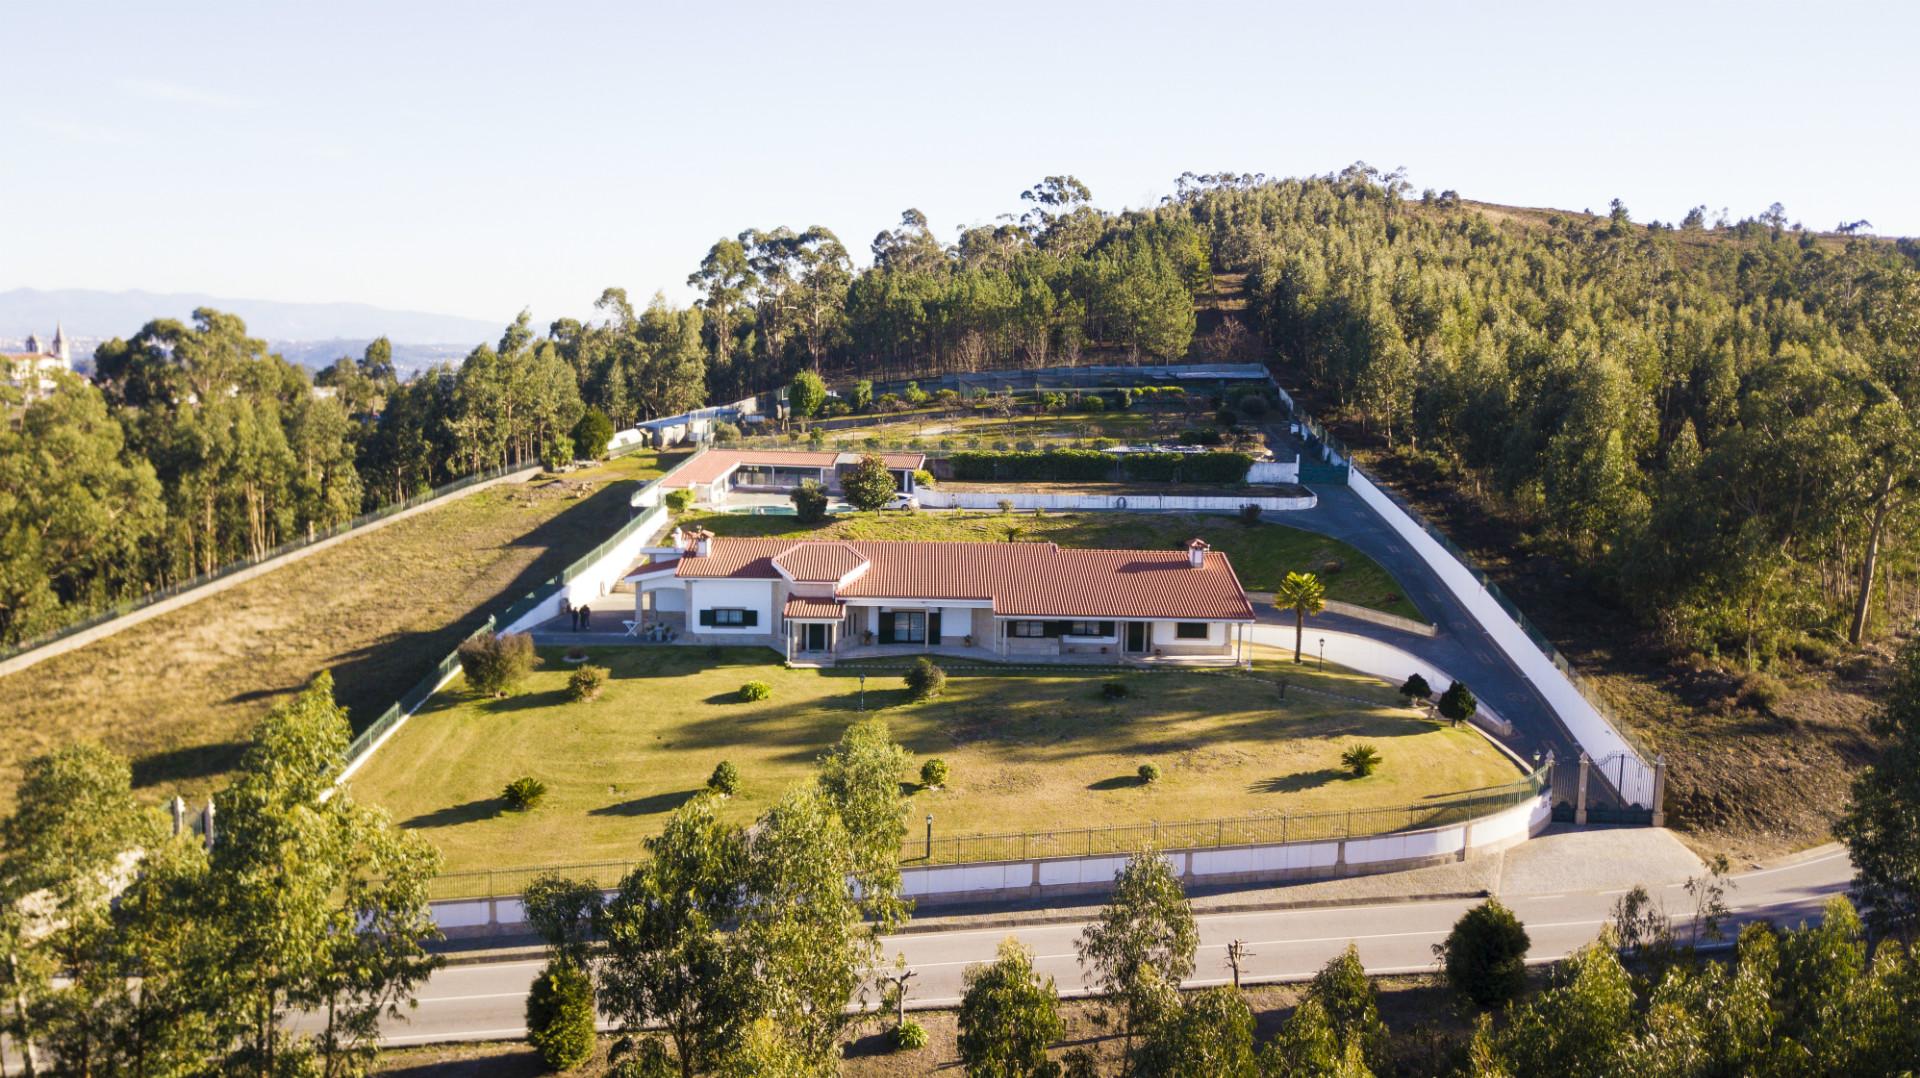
x: 1028, y: 752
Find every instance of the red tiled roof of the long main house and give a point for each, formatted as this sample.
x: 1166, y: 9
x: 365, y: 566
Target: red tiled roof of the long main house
x: 1020, y: 579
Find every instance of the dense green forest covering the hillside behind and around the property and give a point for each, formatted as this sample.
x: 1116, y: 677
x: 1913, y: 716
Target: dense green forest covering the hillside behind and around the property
x: 1714, y: 424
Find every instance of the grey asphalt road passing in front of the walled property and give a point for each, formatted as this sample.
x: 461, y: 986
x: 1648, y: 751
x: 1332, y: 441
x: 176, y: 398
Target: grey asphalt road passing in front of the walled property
x: 487, y: 1002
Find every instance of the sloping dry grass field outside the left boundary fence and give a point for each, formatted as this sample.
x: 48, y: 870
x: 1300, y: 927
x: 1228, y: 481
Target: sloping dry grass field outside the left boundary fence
x: 180, y: 695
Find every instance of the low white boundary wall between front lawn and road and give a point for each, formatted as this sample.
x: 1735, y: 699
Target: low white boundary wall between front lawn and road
x: 1007, y: 881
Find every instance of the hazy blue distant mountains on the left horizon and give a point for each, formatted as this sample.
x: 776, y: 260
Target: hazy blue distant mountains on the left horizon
x: 304, y: 333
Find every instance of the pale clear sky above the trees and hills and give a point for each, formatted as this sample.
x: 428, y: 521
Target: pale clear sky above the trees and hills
x: 477, y: 159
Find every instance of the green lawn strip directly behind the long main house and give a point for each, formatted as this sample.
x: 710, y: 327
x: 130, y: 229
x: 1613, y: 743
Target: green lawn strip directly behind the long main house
x: 1262, y: 554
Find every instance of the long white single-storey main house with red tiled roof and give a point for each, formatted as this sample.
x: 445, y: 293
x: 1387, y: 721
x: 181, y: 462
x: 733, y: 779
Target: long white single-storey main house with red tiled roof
x: 825, y: 600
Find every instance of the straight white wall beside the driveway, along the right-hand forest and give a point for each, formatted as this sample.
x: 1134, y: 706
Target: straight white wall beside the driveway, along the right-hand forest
x: 1589, y: 727
